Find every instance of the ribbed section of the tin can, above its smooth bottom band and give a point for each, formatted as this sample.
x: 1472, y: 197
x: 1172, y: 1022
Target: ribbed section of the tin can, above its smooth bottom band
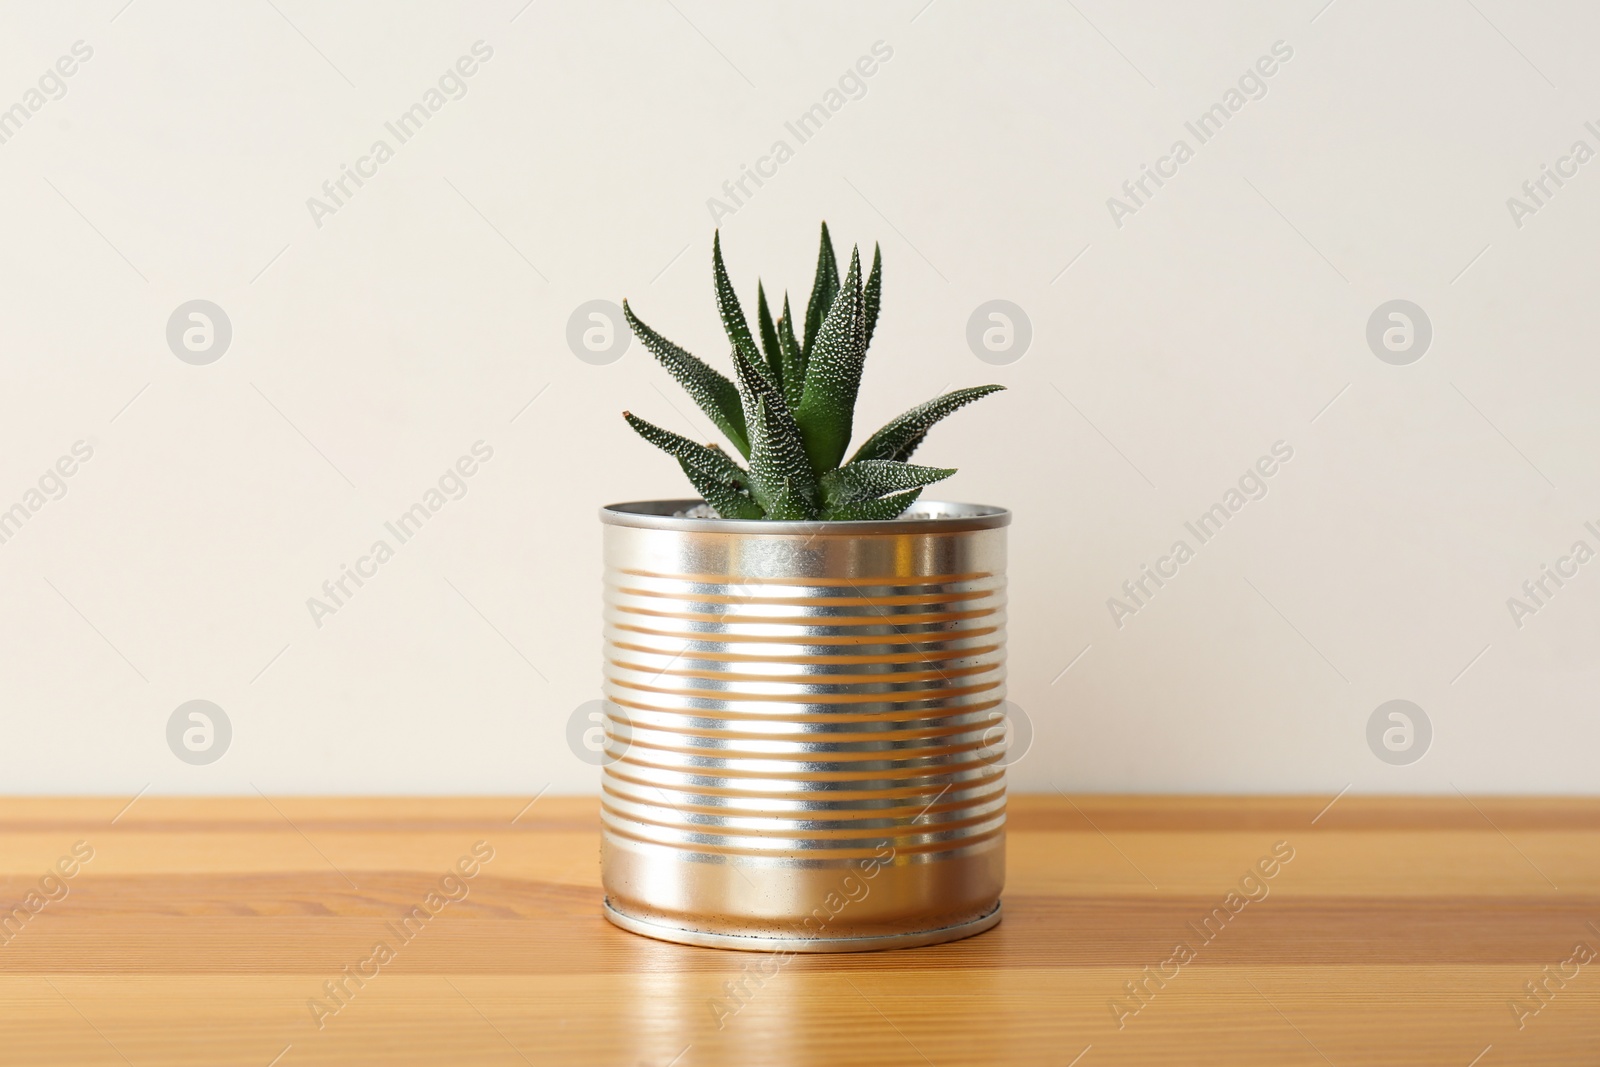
x: 790, y: 695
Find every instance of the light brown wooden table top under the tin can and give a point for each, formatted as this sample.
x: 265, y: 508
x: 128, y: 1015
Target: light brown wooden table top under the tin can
x: 1401, y: 932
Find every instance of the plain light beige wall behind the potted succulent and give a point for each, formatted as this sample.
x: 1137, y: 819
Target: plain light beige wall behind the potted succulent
x: 1172, y: 348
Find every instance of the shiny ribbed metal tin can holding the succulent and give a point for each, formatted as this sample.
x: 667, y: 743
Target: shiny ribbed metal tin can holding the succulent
x: 801, y: 729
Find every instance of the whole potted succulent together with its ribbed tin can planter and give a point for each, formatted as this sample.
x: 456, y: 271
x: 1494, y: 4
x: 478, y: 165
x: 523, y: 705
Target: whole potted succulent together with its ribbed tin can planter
x: 806, y: 668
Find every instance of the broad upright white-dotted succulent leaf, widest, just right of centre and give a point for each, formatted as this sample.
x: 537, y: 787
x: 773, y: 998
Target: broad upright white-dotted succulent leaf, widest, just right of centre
x: 833, y: 377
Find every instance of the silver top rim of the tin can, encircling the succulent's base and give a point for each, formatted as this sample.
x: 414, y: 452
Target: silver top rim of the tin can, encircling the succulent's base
x: 932, y: 518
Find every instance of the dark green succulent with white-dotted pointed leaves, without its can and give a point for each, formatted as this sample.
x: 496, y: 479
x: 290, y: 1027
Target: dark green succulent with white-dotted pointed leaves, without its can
x: 793, y: 410
